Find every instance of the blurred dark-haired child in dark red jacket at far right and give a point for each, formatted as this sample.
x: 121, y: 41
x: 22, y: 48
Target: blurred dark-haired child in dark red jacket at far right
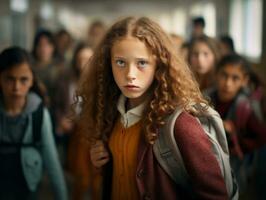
x: 246, y: 132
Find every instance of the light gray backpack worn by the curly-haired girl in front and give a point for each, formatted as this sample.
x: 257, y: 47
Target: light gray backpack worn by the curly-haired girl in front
x: 169, y: 157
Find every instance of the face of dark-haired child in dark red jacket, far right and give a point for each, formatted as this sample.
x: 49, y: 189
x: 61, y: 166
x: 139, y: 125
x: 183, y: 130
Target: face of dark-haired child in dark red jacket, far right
x: 230, y: 80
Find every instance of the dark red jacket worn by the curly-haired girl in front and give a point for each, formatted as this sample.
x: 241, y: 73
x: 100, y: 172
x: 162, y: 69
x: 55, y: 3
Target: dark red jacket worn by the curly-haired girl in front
x: 201, y: 164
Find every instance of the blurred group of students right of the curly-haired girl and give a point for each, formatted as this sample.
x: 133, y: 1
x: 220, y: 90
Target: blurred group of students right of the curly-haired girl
x: 237, y: 92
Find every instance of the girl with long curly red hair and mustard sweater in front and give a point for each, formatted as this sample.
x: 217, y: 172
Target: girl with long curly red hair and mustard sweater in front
x: 135, y: 81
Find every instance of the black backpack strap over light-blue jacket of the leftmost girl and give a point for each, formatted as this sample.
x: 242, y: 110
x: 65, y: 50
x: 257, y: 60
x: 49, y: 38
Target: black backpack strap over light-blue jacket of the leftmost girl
x: 37, y: 118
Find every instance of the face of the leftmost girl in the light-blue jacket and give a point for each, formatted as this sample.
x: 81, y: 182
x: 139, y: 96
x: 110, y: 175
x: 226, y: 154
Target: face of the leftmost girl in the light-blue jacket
x: 16, y: 82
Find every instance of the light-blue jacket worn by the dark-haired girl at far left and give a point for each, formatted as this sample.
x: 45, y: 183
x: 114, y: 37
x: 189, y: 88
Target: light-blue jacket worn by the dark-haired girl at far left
x: 34, y: 161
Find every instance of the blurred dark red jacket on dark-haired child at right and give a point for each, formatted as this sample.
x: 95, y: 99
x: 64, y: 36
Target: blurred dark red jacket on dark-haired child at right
x: 247, y: 131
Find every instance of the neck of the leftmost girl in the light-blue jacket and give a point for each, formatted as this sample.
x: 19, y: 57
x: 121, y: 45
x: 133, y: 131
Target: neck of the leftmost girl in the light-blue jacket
x: 14, y: 107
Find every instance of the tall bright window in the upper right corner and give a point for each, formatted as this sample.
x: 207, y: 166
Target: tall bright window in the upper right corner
x: 246, y: 27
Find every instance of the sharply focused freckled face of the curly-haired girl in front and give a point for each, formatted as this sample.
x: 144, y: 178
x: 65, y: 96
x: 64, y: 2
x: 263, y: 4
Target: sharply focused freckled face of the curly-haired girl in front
x: 133, y: 66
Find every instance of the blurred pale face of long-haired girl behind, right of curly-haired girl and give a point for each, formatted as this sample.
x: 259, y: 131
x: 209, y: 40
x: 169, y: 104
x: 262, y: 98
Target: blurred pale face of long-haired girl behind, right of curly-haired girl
x: 202, y: 58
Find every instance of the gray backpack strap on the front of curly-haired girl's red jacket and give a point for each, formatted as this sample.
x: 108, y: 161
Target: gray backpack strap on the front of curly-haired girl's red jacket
x: 168, y: 154
